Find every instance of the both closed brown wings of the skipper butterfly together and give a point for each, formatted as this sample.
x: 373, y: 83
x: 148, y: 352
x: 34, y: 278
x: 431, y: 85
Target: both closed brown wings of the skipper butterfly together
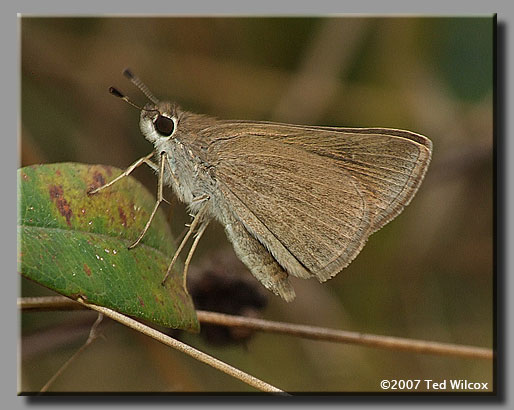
x: 313, y: 195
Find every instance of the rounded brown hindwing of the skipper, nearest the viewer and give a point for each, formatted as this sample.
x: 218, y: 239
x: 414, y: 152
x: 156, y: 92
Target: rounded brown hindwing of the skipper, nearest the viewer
x: 304, y: 207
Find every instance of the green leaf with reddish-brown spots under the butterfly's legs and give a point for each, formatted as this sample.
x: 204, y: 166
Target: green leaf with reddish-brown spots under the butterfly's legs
x: 77, y: 244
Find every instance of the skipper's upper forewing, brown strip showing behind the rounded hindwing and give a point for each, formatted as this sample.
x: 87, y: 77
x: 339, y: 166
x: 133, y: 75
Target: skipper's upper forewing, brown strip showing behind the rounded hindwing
x: 389, y: 164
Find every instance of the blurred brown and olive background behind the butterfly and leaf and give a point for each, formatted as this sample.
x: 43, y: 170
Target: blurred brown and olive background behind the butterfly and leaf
x: 427, y: 275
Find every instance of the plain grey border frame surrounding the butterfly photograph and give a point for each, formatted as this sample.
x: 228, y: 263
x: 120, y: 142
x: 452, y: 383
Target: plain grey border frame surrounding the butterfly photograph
x: 504, y: 187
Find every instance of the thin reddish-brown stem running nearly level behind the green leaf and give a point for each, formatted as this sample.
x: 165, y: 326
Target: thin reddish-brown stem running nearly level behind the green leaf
x: 310, y: 332
